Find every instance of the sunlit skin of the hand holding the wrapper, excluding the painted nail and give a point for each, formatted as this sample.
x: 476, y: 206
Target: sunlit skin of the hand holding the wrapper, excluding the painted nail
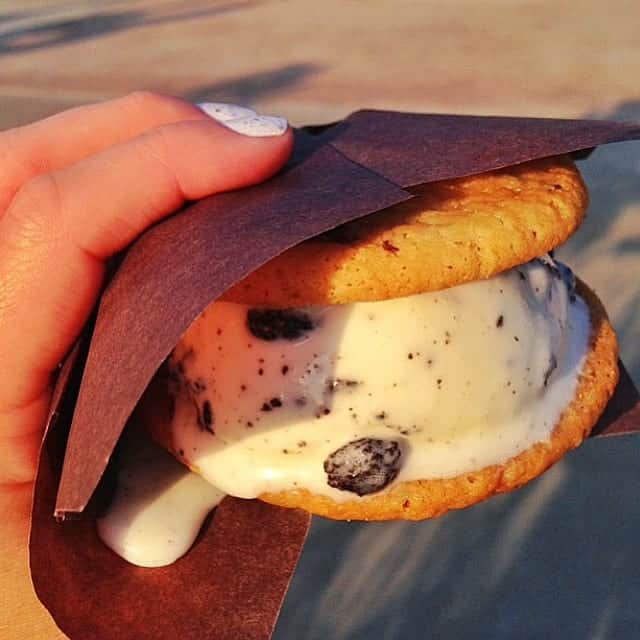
x: 76, y: 189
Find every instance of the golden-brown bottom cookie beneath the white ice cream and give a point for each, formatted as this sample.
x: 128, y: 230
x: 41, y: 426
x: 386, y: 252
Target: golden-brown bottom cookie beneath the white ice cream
x: 421, y: 499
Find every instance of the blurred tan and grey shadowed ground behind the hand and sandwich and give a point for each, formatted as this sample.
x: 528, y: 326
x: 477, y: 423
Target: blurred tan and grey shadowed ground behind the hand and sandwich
x: 558, y: 559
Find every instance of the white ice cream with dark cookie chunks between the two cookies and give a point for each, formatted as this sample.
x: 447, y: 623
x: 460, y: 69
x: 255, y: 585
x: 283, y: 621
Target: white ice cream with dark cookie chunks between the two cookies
x: 348, y: 400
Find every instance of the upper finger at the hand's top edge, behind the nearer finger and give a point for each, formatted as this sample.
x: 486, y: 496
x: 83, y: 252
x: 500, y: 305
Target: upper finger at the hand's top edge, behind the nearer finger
x: 67, y: 137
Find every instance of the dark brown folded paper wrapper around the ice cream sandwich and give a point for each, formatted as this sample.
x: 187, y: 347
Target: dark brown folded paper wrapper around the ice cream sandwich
x: 233, y: 581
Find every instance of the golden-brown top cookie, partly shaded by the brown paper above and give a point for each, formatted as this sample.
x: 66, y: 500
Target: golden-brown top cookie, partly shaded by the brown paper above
x: 452, y: 232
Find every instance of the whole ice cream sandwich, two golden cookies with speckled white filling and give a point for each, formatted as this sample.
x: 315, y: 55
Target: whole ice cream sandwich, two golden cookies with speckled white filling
x: 417, y: 360
